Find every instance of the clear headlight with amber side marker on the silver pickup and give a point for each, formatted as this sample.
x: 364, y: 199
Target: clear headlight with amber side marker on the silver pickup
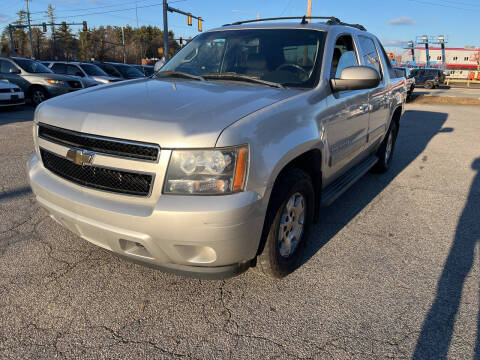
x: 207, y: 172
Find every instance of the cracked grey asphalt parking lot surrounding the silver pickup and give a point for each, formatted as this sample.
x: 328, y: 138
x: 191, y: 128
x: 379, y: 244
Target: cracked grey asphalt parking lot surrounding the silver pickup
x: 392, y: 270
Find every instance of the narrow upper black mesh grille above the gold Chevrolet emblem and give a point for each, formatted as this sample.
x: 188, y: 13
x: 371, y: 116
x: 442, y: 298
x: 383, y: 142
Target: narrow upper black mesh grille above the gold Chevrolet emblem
x: 123, y: 148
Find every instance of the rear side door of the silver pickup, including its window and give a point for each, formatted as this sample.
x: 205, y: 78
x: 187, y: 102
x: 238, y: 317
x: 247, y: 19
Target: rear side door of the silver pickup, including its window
x: 379, y: 97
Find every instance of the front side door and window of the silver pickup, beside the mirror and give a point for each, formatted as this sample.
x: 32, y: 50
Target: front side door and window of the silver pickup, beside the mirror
x: 347, y: 119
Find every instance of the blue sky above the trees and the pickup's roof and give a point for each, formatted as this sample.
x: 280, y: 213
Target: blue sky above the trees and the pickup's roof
x: 394, y: 22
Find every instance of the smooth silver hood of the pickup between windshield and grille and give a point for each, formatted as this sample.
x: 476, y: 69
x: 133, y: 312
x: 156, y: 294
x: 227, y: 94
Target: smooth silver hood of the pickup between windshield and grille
x: 171, y: 113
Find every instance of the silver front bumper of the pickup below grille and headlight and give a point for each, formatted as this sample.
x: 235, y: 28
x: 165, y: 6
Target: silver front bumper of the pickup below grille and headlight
x: 201, y: 236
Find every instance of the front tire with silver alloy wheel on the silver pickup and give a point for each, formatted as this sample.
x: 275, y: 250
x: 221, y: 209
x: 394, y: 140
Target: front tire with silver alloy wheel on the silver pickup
x: 287, y: 225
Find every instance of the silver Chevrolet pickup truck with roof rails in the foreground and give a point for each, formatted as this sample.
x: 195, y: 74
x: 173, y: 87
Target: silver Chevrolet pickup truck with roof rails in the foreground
x: 223, y: 160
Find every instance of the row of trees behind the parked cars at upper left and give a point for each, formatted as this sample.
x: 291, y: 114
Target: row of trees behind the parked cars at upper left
x: 62, y: 43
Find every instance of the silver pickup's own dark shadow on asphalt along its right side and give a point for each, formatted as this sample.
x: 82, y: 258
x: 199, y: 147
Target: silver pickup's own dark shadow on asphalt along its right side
x: 417, y: 128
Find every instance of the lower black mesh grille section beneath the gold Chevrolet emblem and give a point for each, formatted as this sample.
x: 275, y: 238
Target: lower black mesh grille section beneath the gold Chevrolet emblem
x: 117, y: 181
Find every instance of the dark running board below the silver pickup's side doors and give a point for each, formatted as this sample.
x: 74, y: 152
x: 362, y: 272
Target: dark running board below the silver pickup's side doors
x: 333, y: 191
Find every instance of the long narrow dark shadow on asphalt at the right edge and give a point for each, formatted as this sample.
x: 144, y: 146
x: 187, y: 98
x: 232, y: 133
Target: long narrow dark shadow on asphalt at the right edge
x: 436, y: 335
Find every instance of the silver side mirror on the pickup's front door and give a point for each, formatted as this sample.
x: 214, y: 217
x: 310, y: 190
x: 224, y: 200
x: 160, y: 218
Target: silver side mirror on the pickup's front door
x: 356, y: 78
